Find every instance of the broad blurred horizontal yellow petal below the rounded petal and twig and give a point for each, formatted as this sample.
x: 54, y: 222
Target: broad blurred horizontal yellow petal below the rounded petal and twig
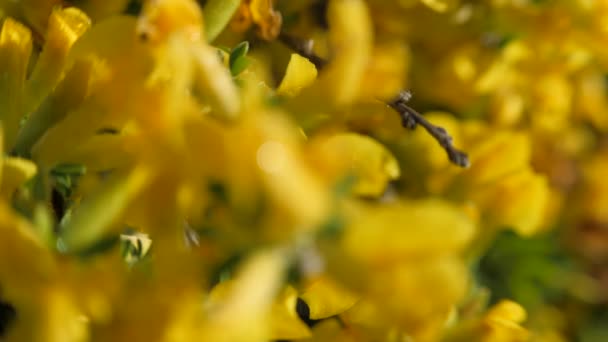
x: 389, y: 233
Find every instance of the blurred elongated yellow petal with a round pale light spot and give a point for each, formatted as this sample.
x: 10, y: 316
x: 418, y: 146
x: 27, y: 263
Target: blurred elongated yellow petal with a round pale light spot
x: 291, y: 184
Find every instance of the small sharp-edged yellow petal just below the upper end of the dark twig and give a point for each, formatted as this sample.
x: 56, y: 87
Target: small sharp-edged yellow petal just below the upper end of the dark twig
x: 300, y: 73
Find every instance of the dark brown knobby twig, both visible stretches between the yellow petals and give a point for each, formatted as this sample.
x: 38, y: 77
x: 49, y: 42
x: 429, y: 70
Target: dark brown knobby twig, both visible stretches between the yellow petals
x: 410, y: 118
